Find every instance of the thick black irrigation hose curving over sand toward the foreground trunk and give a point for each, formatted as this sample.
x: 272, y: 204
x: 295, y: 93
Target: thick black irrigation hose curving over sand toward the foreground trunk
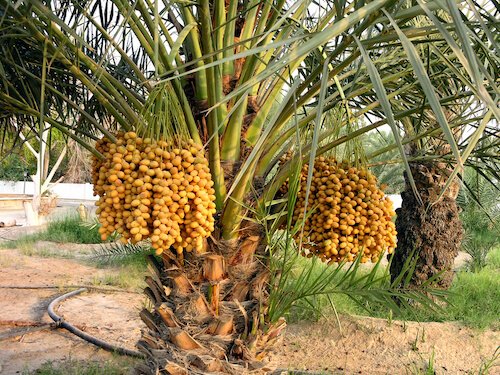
x: 60, y: 322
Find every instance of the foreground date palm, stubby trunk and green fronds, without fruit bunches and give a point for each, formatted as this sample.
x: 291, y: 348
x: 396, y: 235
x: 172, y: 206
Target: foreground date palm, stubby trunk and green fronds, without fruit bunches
x: 250, y: 79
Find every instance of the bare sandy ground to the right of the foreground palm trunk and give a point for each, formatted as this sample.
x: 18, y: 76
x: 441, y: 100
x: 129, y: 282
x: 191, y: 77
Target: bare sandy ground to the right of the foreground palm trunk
x: 373, y: 346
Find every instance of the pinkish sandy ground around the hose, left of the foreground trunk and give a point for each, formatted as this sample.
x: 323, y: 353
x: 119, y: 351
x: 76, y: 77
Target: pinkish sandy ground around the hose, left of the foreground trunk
x: 110, y: 316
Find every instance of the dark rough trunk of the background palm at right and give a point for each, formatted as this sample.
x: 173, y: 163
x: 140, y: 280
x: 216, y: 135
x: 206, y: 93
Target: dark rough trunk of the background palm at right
x: 432, y: 231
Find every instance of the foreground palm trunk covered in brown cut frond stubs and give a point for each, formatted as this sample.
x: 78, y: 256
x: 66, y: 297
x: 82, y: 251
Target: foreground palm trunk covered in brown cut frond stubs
x: 210, y: 309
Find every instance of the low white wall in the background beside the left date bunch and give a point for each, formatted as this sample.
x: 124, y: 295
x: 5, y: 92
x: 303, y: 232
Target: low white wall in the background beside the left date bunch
x: 62, y: 190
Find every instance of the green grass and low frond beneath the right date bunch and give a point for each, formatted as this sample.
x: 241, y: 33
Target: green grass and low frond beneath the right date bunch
x: 308, y: 288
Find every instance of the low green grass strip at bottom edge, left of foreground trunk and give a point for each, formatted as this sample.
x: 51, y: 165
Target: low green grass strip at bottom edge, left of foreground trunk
x: 120, y: 366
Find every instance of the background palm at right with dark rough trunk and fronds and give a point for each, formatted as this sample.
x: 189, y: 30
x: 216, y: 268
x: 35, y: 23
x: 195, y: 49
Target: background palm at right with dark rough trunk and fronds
x: 428, y: 223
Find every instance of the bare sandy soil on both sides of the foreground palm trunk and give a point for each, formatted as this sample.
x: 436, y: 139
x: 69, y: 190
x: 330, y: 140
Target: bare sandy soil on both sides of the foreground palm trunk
x: 361, y: 346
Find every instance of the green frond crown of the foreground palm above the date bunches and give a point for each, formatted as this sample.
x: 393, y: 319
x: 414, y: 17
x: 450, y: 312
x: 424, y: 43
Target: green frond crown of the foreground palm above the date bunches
x: 434, y: 61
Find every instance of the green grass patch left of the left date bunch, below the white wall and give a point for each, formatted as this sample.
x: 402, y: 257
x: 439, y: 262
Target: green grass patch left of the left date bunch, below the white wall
x: 66, y: 230
